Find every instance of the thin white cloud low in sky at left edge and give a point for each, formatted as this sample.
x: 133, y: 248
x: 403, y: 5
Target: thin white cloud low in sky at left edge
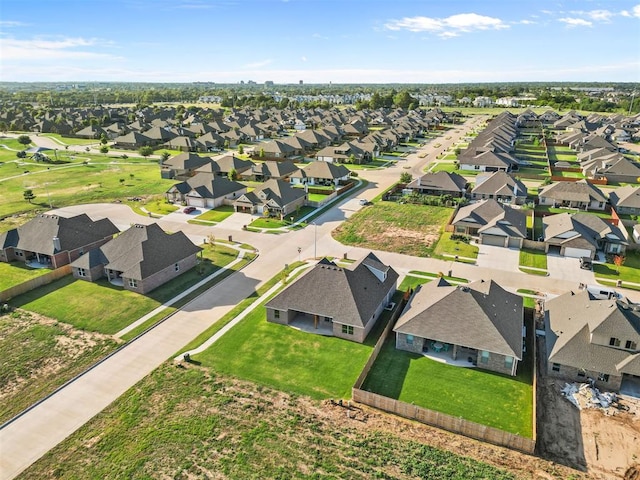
x: 41, y: 48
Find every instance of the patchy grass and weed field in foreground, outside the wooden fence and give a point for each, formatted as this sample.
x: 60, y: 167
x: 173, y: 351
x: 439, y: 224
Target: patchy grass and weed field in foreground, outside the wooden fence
x: 195, y: 422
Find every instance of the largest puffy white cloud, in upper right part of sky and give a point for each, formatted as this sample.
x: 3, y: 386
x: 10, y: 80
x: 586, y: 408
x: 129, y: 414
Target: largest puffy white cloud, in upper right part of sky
x: 447, y: 27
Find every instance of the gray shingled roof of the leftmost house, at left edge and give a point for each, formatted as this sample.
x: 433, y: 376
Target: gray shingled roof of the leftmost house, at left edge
x: 73, y: 232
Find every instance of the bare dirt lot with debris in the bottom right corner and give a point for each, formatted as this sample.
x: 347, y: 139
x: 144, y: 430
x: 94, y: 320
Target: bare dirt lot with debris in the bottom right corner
x: 607, y: 446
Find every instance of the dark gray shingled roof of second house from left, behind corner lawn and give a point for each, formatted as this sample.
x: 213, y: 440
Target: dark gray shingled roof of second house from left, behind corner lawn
x: 141, y: 251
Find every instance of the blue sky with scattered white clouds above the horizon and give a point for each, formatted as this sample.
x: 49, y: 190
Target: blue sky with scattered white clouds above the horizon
x: 320, y: 41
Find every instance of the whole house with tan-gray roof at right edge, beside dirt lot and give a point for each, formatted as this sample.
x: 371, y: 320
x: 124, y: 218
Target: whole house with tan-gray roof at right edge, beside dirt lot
x: 593, y: 339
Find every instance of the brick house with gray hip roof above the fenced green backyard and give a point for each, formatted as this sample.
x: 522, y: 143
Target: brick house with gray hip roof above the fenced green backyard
x: 481, y: 322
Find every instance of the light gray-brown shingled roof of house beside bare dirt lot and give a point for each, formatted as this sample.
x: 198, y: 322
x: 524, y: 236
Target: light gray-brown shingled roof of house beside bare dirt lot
x: 573, y: 318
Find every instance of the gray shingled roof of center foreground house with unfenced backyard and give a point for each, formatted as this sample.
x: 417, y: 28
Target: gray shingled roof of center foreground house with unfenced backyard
x: 349, y: 295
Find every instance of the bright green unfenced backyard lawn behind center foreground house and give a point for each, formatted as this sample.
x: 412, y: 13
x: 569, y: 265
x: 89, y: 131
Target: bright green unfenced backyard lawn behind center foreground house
x: 286, y: 359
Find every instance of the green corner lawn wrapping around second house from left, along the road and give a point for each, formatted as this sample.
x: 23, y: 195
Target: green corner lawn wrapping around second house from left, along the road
x: 102, y: 307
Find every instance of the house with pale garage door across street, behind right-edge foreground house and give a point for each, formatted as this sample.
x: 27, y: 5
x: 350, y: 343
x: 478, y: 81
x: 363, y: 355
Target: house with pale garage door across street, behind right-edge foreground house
x: 581, y: 235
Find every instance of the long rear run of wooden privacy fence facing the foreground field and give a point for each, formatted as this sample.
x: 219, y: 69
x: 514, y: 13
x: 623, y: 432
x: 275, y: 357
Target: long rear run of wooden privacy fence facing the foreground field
x: 446, y: 422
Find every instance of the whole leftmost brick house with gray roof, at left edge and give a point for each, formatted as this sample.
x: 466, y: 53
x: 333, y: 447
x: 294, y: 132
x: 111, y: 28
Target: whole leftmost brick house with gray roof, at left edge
x: 53, y: 241
